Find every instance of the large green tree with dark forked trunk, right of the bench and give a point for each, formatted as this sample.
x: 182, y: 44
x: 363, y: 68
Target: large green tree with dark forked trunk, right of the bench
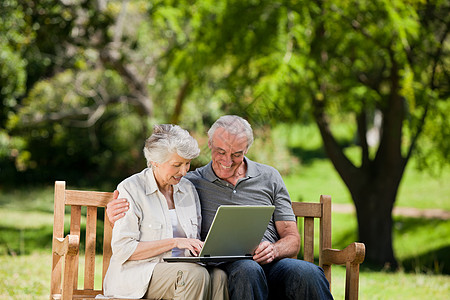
x: 352, y: 60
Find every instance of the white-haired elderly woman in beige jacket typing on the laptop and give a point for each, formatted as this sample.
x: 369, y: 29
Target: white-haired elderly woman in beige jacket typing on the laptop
x: 163, y: 220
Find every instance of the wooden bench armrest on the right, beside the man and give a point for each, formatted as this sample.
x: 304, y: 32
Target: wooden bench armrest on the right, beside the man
x: 353, y: 253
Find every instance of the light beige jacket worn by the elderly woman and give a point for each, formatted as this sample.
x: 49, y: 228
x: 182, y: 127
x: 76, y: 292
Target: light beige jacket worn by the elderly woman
x: 147, y: 220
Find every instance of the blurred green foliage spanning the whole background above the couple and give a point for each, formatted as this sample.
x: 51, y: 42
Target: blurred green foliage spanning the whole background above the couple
x: 64, y: 98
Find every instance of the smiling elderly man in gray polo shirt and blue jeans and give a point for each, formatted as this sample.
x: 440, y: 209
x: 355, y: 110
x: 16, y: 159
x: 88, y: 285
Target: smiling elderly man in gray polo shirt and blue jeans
x: 230, y: 178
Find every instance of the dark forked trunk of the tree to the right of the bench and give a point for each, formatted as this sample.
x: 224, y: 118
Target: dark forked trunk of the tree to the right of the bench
x: 374, y: 184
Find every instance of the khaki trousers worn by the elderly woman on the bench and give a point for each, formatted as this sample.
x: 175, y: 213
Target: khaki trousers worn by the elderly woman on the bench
x: 187, y: 281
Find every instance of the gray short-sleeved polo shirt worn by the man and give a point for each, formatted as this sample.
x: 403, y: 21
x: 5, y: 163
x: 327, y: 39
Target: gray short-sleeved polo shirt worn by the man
x: 262, y: 185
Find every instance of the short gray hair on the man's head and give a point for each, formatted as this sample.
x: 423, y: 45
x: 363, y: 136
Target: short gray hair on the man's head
x: 234, y: 125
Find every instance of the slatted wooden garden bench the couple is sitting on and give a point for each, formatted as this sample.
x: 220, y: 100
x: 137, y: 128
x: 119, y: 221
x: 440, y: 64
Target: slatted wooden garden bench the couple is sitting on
x: 66, y: 248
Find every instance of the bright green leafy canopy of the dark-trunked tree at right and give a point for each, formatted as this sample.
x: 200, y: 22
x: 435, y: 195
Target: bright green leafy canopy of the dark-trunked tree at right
x: 343, y: 56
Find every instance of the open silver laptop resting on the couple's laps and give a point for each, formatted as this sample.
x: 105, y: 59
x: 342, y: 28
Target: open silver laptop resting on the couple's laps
x: 235, y: 233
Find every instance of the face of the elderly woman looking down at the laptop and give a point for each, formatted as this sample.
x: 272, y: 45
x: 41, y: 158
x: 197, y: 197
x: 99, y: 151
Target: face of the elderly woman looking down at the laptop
x: 171, y: 171
